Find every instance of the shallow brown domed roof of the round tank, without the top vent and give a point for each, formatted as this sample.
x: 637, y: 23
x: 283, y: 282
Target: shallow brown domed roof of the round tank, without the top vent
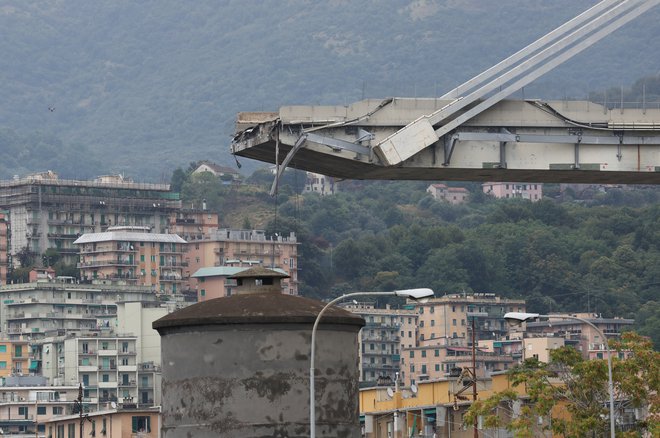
x: 259, y: 308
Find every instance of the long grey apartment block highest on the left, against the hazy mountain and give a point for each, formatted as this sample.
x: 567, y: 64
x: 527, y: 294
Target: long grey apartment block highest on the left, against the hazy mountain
x: 48, y: 212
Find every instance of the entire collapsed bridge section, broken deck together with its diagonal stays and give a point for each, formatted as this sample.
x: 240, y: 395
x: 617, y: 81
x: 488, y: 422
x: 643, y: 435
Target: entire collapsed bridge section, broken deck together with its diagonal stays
x: 472, y: 132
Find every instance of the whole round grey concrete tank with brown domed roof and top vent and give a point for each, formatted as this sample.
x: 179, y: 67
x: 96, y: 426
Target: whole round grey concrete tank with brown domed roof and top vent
x: 238, y: 366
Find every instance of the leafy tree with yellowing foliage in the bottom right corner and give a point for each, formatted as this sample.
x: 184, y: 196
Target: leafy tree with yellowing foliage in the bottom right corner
x: 578, y: 388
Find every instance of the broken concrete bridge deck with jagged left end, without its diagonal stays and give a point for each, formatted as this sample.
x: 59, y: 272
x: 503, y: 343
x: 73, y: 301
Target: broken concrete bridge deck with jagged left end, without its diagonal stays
x: 514, y: 140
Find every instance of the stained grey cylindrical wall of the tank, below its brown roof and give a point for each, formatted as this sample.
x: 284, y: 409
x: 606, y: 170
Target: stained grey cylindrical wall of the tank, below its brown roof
x: 253, y: 381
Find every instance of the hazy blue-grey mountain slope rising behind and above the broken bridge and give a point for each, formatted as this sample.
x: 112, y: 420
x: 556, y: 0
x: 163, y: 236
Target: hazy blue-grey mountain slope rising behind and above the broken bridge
x: 141, y: 87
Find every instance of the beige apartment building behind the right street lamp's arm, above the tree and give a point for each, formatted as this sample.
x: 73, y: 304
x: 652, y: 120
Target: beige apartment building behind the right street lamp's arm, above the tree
x: 579, y: 334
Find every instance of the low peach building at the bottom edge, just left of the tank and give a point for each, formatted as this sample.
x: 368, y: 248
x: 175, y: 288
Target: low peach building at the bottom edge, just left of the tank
x: 124, y: 421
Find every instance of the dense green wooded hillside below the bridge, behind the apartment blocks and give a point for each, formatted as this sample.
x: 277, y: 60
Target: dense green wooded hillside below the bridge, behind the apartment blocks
x: 599, y: 253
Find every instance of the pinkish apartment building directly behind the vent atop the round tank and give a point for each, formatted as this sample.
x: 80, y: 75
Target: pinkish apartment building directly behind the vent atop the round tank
x: 244, y: 249
